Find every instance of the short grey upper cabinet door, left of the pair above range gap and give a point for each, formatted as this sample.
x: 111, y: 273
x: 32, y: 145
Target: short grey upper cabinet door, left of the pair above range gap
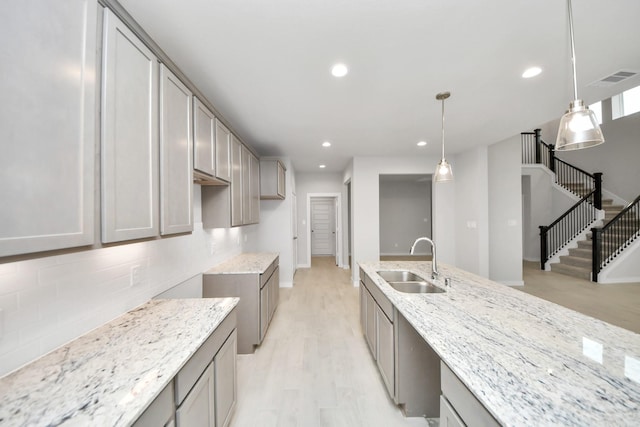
x: 204, y: 139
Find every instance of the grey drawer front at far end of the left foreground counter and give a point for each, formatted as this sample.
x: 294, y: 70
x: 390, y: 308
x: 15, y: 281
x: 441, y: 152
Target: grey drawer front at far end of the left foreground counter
x: 192, y: 370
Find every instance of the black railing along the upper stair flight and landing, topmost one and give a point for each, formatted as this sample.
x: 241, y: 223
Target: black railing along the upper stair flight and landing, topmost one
x: 573, y: 179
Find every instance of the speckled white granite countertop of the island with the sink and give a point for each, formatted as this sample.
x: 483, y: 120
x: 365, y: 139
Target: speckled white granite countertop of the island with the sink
x: 527, y: 360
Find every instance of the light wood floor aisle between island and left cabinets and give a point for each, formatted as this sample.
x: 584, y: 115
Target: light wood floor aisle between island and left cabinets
x: 313, y: 367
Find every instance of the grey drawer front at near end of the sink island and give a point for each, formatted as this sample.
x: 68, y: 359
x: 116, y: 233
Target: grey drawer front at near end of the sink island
x: 463, y: 401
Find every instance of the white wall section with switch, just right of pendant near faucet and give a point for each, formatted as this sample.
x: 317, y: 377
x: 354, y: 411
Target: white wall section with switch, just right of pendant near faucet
x: 472, y: 211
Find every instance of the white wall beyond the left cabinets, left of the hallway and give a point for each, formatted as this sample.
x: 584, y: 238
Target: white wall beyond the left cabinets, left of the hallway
x: 274, y: 233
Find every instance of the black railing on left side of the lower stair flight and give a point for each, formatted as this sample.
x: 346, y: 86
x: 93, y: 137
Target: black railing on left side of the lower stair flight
x: 570, y: 224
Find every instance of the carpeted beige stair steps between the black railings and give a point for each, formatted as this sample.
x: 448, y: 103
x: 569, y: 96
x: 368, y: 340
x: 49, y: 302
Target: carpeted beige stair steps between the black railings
x: 580, y: 260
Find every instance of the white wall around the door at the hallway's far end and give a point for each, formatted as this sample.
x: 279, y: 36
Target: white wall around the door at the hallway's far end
x: 307, y: 183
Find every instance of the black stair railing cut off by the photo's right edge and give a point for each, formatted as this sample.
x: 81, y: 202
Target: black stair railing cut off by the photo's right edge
x: 611, y: 239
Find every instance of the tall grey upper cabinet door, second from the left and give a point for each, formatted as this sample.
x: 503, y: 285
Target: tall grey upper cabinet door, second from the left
x: 130, y: 208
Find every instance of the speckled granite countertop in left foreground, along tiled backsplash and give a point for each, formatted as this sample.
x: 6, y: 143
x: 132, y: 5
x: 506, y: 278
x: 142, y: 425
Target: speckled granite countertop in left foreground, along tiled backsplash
x: 110, y: 375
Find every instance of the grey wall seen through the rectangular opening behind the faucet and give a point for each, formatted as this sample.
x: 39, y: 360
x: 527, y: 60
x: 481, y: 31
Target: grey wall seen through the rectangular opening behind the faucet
x: 405, y: 213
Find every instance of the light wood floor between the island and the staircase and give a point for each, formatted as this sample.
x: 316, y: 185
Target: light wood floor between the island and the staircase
x: 618, y: 304
